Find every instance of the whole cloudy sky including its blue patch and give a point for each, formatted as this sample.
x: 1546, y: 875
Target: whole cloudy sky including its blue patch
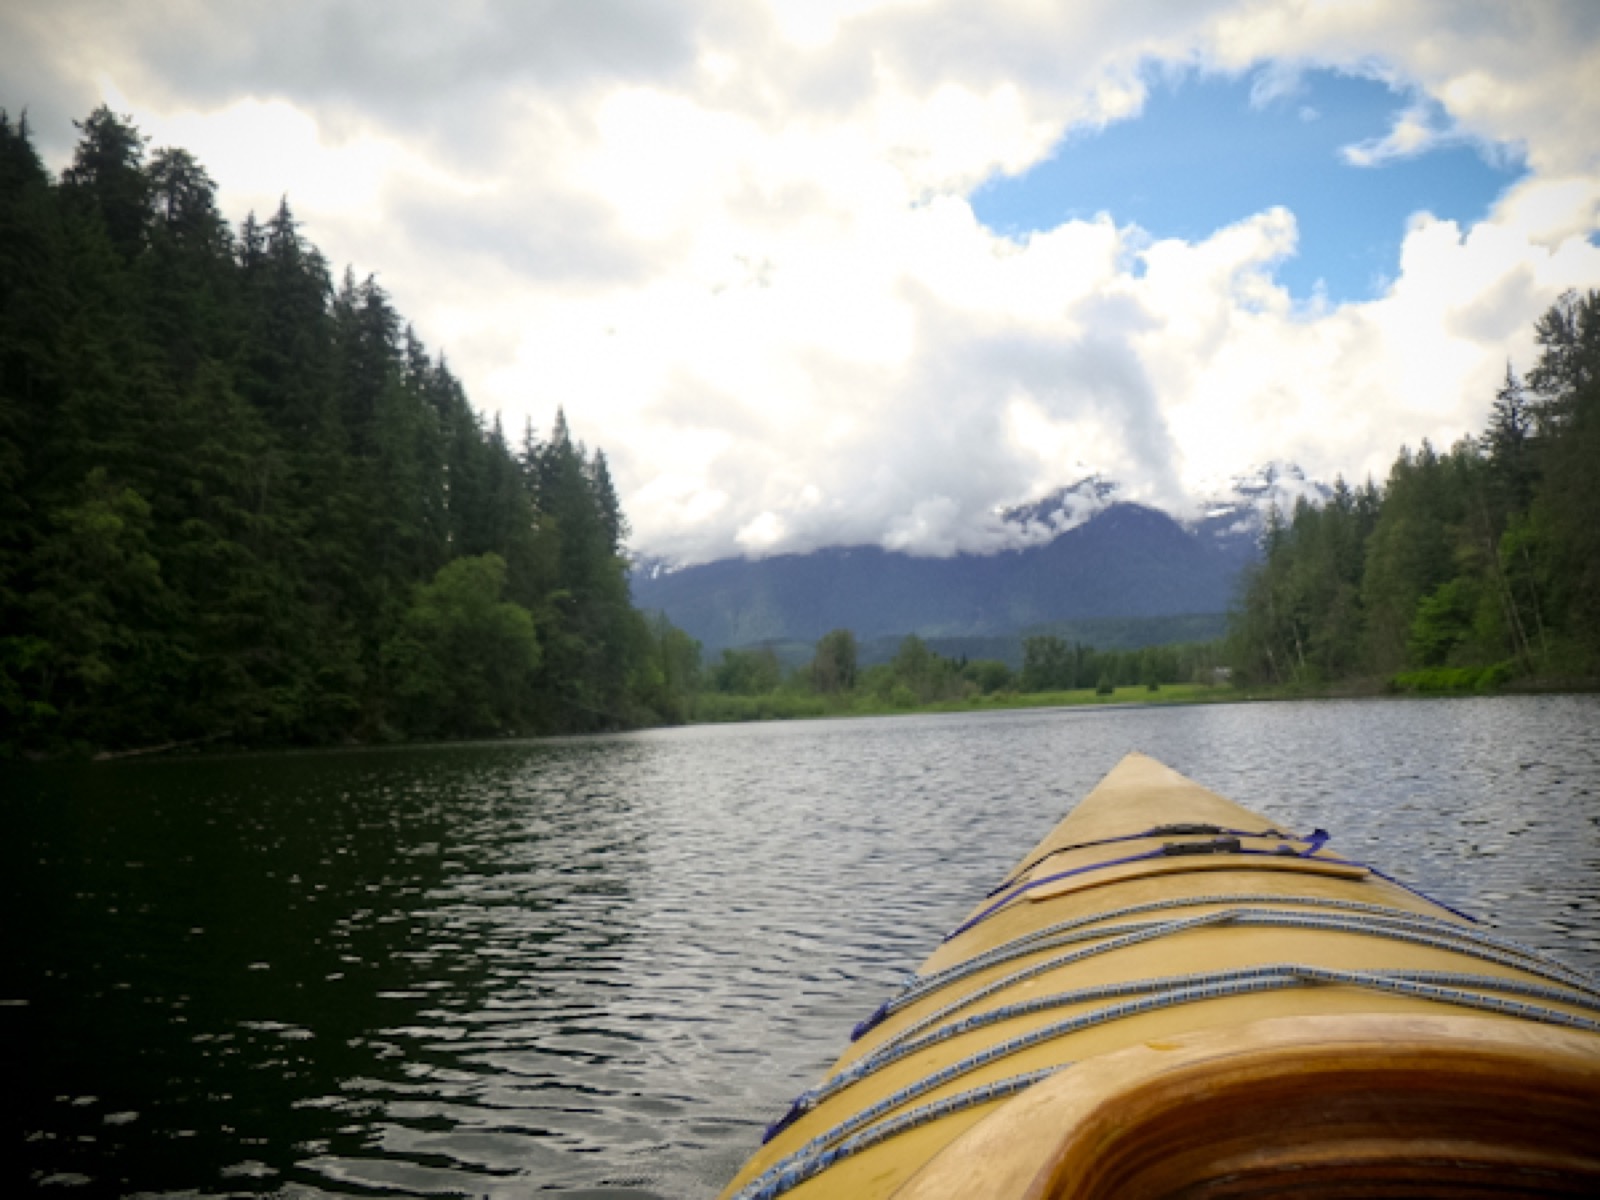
x: 822, y: 273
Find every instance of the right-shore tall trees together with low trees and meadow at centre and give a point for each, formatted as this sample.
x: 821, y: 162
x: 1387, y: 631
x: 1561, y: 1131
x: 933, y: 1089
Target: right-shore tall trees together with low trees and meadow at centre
x: 1465, y: 572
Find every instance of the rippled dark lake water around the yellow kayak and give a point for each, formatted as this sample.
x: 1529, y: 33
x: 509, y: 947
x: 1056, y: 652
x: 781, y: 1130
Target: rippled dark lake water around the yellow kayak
x: 599, y: 967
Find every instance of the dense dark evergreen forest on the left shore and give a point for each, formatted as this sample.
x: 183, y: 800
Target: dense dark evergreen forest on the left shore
x: 242, y: 503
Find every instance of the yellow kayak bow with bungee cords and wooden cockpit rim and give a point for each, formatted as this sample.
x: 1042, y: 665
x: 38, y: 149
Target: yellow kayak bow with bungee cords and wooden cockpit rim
x: 1172, y: 996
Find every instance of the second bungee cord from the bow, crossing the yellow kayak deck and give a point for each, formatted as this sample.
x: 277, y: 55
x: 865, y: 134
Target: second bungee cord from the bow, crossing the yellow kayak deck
x: 1458, y: 942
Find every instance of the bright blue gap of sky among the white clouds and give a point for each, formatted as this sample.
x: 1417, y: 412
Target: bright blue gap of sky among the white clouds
x: 1202, y: 154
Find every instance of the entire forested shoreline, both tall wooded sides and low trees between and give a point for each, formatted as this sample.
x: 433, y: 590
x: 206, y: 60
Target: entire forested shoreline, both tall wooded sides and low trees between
x: 242, y: 503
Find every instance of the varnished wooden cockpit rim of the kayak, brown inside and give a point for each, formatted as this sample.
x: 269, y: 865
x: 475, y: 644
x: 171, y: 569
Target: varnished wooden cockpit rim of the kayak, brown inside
x: 1361, y: 1106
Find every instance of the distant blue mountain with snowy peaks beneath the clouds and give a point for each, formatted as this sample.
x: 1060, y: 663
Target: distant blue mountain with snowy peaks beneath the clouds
x: 1082, y: 556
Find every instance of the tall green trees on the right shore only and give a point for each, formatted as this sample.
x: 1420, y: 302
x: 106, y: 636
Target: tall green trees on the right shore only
x: 1468, y: 567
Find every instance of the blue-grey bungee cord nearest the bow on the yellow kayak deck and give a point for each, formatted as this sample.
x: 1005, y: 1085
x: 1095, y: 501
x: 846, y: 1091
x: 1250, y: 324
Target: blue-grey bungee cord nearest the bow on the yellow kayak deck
x: 918, y: 986
